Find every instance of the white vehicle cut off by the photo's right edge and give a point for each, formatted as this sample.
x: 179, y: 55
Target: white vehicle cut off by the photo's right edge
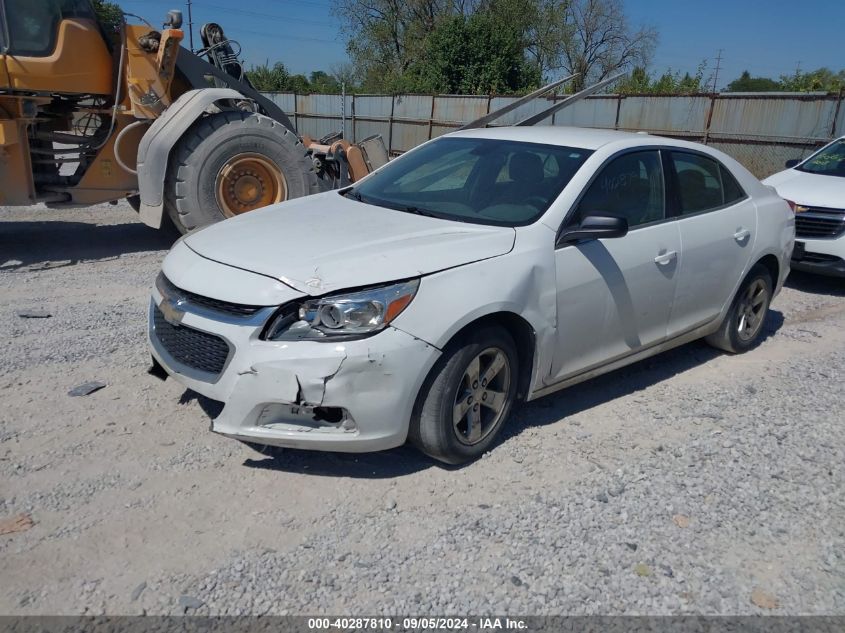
x: 816, y: 187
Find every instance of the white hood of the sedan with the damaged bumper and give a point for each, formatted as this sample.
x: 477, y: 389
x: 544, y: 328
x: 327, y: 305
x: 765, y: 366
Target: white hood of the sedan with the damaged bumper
x: 326, y: 242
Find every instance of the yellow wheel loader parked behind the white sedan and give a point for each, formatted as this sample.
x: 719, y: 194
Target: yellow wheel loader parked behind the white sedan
x: 92, y: 113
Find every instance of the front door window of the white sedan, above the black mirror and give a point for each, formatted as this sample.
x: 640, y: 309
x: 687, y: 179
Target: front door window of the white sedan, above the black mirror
x: 630, y: 186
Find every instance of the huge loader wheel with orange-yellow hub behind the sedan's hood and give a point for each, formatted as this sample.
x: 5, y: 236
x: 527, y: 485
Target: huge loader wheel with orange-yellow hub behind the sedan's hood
x: 224, y: 149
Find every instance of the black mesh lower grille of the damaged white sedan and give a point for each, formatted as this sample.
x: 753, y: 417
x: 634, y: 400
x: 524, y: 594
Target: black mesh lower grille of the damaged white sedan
x: 198, y: 350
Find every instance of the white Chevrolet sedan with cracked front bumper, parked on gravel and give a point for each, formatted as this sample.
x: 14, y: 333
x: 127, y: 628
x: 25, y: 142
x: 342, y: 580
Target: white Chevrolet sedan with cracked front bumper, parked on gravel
x: 483, y: 268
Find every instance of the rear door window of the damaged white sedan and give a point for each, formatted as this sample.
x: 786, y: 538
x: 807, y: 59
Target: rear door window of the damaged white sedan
x: 703, y: 183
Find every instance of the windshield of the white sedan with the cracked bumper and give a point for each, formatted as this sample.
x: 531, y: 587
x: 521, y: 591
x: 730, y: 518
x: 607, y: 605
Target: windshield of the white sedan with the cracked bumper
x: 484, y: 181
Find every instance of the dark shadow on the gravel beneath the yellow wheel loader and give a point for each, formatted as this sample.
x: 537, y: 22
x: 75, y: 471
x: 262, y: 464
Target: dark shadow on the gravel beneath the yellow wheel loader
x: 59, y: 243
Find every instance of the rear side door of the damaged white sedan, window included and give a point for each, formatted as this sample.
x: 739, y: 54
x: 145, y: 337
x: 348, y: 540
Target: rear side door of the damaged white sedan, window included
x: 718, y: 225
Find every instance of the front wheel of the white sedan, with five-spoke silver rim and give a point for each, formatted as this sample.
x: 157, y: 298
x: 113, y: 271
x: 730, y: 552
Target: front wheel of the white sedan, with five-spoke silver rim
x: 433, y: 429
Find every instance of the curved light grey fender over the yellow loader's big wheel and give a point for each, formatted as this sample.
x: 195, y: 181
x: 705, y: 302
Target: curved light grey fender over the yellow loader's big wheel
x: 156, y: 144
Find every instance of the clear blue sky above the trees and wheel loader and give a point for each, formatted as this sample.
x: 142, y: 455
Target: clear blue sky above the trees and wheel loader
x: 767, y: 37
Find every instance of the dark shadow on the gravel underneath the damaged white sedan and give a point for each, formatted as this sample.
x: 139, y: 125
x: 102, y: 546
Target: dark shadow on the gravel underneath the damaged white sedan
x: 406, y: 460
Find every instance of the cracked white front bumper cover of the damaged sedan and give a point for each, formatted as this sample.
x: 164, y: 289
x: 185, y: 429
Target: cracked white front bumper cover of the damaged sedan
x: 278, y: 393
